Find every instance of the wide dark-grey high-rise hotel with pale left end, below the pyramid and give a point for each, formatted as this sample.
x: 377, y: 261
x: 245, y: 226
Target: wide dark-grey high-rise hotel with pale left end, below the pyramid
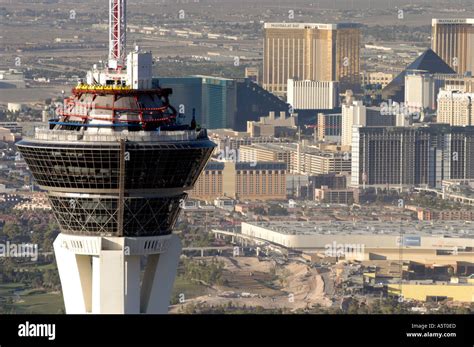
x: 403, y: 157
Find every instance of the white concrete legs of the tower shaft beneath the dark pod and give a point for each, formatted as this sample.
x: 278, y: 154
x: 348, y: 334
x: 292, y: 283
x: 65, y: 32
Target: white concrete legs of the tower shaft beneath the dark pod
x: 101, y: 275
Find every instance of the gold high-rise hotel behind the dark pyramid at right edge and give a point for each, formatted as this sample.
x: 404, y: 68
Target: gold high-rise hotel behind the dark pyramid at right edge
x: 453, y: 41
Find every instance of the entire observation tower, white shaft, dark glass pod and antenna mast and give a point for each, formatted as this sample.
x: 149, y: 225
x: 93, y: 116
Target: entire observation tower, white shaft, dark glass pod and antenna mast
x: 116, y: 166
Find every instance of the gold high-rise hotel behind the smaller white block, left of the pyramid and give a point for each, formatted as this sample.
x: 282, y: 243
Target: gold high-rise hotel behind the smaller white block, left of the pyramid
x: 309, y: 51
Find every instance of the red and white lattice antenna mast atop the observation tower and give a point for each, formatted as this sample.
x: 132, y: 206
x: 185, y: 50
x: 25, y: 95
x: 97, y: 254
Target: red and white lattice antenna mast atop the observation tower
x: 117, y: 33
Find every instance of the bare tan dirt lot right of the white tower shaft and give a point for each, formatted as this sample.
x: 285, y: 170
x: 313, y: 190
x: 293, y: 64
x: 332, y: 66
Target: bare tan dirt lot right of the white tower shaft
x: 253, y: 283
